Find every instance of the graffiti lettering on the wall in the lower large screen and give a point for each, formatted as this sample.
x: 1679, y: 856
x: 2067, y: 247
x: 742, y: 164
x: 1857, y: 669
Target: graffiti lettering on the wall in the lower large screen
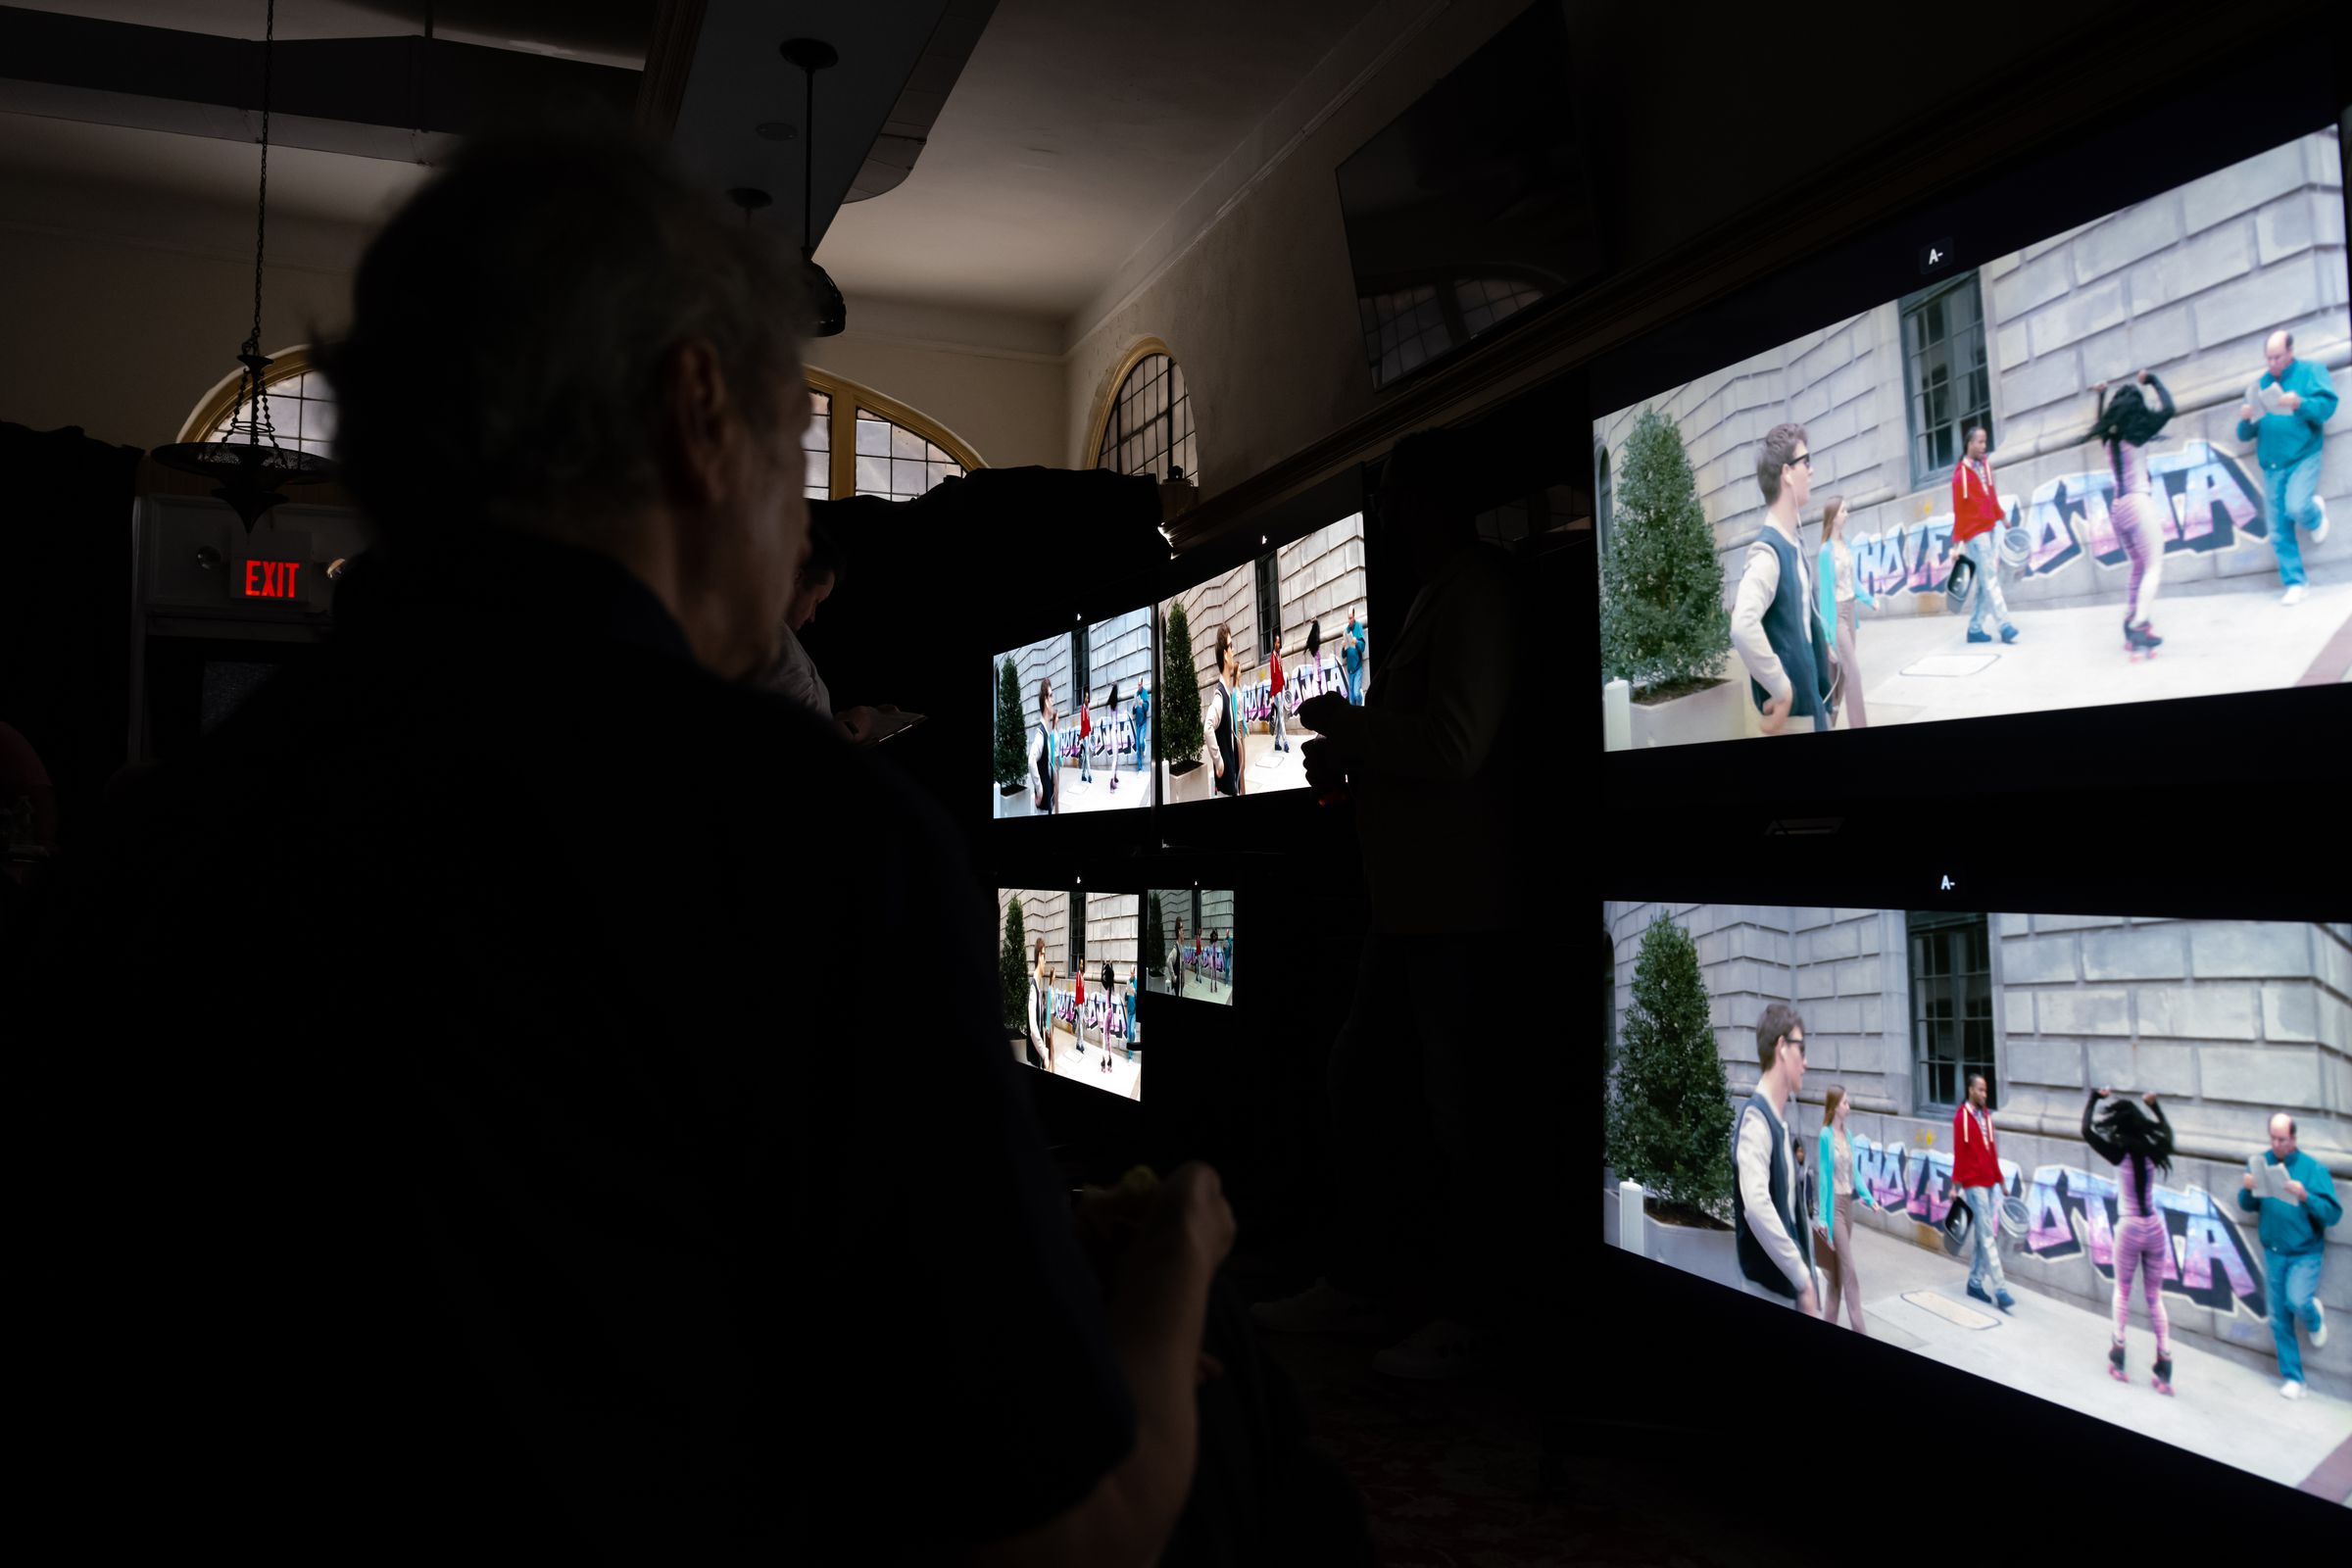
x: 2071, y: 1212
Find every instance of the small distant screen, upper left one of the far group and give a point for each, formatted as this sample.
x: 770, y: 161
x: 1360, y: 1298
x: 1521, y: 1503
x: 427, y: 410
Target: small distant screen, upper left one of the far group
x: 1074, y: 713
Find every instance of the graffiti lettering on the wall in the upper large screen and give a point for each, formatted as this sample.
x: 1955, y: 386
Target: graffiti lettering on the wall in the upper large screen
x: 2210, y: 504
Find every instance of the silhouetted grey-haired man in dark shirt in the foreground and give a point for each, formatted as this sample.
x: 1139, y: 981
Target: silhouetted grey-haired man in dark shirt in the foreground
x: 476, y: 1160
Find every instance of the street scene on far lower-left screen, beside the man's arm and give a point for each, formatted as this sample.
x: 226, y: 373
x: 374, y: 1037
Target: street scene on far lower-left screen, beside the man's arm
x: 1069, y: 974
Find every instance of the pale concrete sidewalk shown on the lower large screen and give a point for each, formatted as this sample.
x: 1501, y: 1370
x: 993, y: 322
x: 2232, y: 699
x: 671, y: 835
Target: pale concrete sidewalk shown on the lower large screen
x: 2054, y: 1351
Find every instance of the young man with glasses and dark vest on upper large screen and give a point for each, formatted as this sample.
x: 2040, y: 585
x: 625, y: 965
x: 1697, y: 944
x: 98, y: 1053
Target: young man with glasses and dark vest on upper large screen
x: 1772, y: 624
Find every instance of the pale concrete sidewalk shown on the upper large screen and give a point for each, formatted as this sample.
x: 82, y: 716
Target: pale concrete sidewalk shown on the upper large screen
x: 2073, y: 657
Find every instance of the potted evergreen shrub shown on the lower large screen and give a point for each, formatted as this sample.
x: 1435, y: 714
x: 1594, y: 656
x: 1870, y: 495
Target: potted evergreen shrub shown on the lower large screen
x: 1671, y: 1108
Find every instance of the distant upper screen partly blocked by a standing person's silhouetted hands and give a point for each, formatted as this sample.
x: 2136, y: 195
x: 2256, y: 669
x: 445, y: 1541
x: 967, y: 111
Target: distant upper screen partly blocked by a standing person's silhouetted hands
x: 1245, y: 650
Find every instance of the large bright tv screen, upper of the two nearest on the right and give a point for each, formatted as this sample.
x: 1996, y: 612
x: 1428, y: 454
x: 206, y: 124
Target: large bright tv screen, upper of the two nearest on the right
x: 2090, y: 471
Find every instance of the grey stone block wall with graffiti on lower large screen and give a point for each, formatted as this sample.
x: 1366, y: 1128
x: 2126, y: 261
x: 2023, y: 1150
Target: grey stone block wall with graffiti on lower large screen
x: 2229, y: 1021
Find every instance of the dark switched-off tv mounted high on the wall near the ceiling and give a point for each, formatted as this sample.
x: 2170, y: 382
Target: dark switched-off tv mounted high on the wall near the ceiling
x: 1476, y: 203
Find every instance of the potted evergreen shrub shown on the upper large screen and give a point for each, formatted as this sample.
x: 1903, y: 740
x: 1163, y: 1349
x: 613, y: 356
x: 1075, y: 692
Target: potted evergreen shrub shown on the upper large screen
x: 1664, y: 622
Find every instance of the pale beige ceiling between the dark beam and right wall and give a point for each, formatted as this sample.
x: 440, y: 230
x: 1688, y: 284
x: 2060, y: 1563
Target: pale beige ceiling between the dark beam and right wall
x: 1071, y: 138
